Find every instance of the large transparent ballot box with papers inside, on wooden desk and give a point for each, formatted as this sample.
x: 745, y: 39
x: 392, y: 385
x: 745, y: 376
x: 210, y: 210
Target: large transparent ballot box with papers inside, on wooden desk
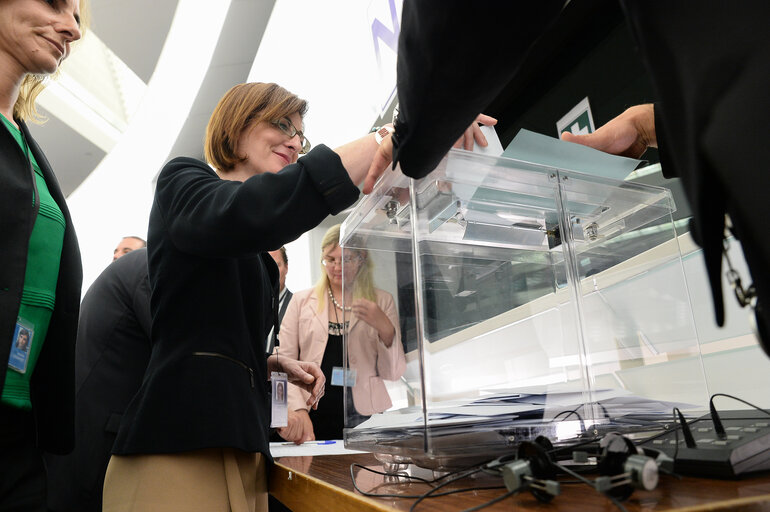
x: 524, y: 301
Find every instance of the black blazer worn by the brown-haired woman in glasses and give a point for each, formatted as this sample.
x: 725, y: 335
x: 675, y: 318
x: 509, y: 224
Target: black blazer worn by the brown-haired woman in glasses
x: 212, y: 290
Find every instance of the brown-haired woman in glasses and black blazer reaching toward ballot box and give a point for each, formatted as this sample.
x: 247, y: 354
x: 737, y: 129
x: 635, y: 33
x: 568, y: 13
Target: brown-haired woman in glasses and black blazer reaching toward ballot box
x: 195, y: 437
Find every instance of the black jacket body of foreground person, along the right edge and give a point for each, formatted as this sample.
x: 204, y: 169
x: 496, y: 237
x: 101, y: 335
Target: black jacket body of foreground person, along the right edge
x: 711, y: 121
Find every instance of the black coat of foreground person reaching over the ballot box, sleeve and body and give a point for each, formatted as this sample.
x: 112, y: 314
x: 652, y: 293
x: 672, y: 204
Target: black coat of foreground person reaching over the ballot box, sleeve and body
x: 709, y: 65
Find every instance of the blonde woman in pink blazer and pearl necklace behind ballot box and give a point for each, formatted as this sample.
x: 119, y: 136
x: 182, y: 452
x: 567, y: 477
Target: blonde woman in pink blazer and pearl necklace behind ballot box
x: 312, y: 330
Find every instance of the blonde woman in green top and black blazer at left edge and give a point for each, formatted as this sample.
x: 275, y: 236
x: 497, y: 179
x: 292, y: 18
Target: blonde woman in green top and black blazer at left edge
x: 40, y: 270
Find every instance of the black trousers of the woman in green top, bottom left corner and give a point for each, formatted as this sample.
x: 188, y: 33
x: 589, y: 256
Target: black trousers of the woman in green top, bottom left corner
x: 22, y: 472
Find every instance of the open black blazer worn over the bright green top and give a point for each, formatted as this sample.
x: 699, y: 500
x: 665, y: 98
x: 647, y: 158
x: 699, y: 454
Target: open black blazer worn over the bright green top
x: 53, y: 382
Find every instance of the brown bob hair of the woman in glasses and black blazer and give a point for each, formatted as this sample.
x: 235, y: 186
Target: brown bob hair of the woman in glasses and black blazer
x: 241, y: 107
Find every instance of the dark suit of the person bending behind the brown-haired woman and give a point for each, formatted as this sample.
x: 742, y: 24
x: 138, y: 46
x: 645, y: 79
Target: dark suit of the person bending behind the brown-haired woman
x: 112, y: 352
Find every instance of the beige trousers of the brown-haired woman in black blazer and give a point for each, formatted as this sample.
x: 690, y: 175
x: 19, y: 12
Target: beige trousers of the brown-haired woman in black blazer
x: 210, y: 480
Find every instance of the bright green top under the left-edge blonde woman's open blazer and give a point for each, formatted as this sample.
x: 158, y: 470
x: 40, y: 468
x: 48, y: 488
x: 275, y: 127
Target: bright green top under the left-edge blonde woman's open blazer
x: 39, y: 293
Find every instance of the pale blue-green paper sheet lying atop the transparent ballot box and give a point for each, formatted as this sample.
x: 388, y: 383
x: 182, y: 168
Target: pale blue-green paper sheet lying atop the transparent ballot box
x: 544, y: 150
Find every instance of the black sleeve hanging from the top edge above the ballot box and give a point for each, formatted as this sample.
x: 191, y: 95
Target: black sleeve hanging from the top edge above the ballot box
x: 447, y: 72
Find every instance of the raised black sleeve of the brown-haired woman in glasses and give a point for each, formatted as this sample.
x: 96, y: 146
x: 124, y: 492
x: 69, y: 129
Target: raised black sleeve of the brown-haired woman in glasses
x: 210, y: 217
